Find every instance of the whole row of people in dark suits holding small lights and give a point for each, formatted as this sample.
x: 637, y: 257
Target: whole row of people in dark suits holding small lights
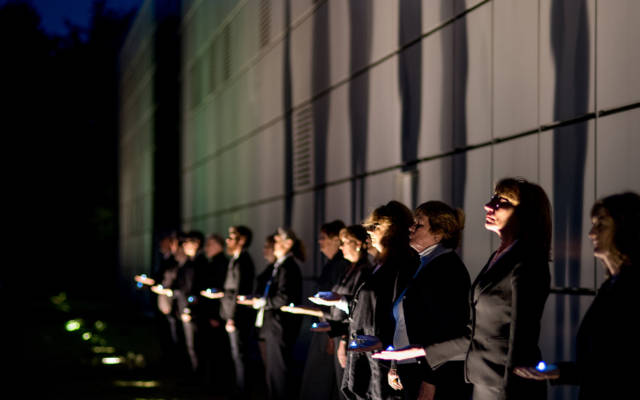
x: 396, y: 283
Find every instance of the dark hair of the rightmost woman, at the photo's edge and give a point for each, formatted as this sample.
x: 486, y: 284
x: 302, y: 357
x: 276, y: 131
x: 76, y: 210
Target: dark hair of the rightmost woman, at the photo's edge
x: 624, y: 209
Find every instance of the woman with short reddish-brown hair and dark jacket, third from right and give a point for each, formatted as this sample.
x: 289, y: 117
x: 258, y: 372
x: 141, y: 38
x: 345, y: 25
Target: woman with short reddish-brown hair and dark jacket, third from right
x: 433, y: 307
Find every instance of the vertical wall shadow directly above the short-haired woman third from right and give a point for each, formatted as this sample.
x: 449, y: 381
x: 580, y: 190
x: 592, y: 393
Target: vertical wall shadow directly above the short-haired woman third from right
x: 455, y: 70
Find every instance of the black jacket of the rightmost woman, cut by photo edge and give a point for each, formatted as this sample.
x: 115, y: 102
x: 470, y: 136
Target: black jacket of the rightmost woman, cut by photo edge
x: 606, y: 363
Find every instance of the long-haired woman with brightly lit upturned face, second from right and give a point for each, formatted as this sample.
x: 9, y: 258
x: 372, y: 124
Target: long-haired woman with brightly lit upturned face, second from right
x: 506, y: 299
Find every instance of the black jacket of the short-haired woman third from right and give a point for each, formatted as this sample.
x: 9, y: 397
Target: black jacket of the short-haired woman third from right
x: 436, y: 308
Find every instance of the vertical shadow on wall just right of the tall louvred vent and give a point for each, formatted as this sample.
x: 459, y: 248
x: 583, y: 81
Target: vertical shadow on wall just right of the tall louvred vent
x: 320, y: 106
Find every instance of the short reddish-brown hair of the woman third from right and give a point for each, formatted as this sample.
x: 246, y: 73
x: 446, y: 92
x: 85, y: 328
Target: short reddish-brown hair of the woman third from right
x: 444, y: 220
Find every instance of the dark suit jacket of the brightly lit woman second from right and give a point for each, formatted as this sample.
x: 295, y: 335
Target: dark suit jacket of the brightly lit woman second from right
x: 507, y: 300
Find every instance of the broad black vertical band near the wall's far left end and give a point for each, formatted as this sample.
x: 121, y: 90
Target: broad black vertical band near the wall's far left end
x: 166, y: 138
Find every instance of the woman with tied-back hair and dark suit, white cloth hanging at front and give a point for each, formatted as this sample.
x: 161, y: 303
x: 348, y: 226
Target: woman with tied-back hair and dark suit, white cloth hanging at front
x: 280, y: 329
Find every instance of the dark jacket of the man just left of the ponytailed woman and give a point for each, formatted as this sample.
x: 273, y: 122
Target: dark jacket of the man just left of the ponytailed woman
x: 239, y: 281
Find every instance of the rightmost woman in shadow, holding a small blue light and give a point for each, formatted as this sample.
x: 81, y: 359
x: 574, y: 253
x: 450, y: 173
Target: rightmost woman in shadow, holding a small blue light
x: 607, y: 355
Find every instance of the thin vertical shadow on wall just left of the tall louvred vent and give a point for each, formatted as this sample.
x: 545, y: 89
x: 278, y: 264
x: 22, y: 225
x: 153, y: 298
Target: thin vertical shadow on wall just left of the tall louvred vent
x: 288, y: 119
